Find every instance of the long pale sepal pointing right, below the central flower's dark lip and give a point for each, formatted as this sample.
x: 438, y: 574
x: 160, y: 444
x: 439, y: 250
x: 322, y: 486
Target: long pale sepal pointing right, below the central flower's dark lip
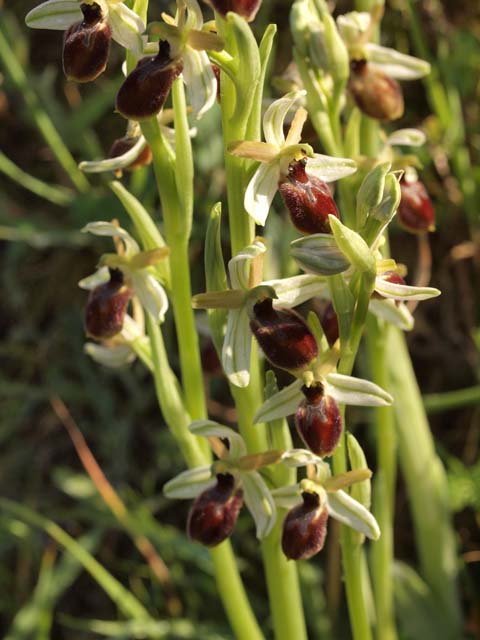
x: 356, y: 391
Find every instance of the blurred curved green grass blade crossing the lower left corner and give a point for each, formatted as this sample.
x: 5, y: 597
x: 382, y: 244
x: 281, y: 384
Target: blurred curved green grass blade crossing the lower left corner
x: 124, y: 600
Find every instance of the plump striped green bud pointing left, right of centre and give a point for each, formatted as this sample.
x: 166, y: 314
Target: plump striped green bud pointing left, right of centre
x: 319, y: 254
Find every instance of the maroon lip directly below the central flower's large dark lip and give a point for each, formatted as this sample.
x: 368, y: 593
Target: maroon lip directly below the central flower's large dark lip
x: 318, y: 421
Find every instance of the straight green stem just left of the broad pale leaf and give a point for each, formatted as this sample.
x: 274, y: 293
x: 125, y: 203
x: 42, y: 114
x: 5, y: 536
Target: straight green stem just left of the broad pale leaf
x: 384, y: 485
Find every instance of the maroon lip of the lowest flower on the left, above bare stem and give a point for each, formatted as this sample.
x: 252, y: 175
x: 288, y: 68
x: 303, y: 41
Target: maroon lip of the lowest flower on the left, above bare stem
x: 214, y: 513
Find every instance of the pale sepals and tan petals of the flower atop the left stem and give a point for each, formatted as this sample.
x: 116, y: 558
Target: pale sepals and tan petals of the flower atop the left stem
x: 189, y: 42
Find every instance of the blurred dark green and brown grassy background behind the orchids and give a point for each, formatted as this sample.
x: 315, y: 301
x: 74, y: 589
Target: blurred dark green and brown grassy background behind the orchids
x: 46, y: 591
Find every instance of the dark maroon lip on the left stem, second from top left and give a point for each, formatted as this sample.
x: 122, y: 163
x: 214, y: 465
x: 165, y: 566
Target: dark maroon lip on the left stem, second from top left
x: 146, y: 89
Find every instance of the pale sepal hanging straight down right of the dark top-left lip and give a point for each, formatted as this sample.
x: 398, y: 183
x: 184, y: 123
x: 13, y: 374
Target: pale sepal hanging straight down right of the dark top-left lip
x: 199, y: 80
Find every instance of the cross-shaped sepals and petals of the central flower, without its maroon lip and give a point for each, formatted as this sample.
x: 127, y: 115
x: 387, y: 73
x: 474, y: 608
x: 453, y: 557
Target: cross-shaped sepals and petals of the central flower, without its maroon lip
x: 245, y: 277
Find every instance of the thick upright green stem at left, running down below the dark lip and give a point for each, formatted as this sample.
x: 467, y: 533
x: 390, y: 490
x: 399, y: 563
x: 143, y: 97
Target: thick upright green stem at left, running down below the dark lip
x: 177, y: 223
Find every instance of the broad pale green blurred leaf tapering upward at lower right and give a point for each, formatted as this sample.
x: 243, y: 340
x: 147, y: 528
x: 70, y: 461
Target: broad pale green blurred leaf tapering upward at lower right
x: 426, y: 485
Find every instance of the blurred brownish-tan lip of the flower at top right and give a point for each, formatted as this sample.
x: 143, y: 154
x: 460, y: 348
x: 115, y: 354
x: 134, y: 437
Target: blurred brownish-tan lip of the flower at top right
x: 375, y: 94
